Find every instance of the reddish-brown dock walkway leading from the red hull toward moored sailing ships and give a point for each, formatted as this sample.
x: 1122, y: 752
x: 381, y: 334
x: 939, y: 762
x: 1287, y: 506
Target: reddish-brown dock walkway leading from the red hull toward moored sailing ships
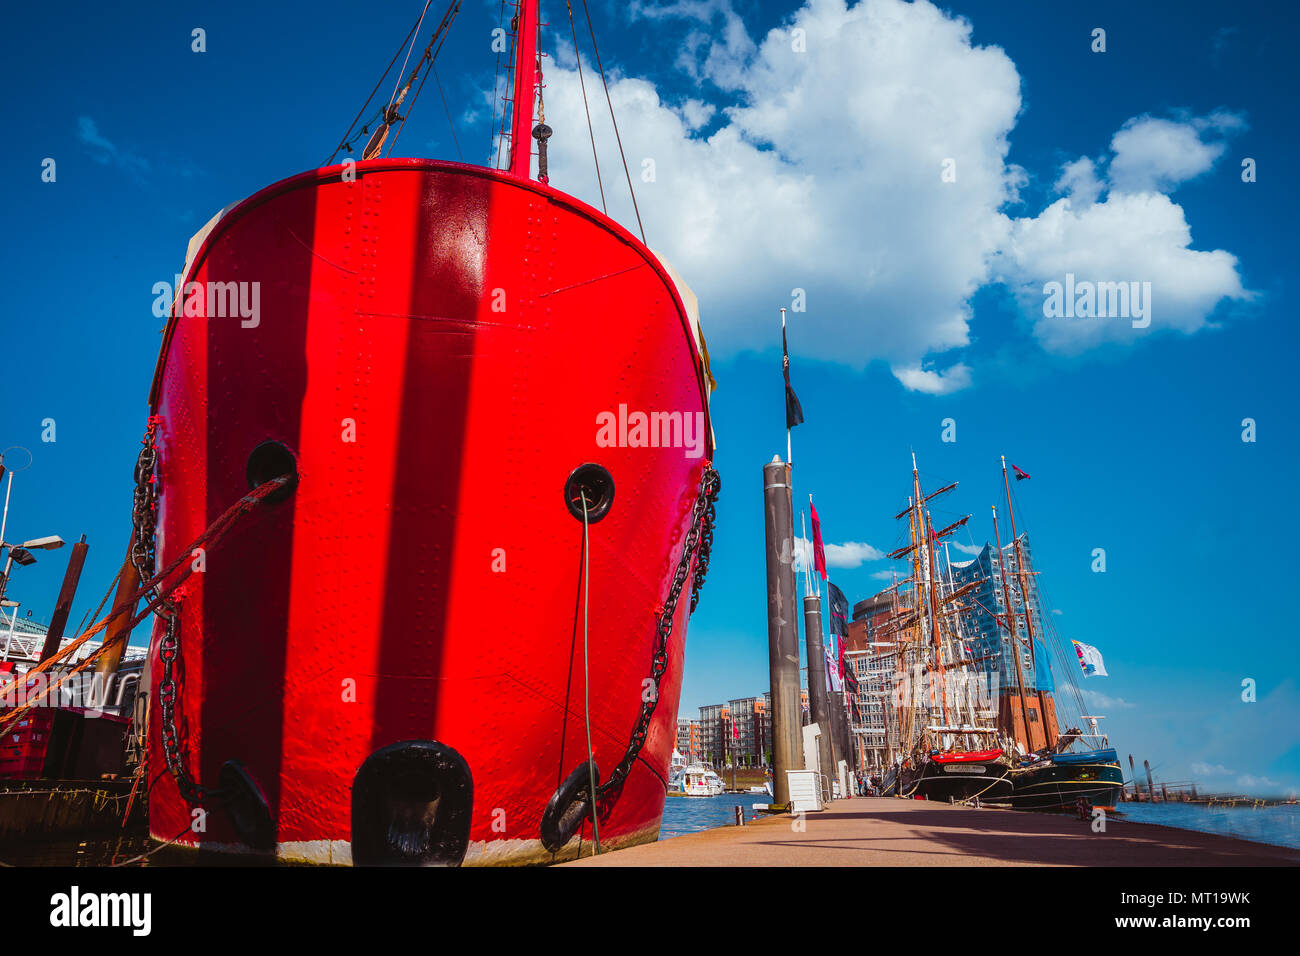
x: 887, y: 832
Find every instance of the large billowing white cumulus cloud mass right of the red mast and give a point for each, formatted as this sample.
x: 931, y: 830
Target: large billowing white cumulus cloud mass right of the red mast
x: 860, y: 154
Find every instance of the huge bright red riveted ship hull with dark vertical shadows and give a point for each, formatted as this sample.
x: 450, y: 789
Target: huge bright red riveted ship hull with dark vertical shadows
x: 434, y: 345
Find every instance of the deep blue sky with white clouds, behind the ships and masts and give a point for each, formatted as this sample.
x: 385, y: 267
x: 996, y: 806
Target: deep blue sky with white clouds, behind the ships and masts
x: 777, y: 174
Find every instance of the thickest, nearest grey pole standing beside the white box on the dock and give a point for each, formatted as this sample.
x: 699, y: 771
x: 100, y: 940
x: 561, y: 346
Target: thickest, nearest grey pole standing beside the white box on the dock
x: 783, y: 639
